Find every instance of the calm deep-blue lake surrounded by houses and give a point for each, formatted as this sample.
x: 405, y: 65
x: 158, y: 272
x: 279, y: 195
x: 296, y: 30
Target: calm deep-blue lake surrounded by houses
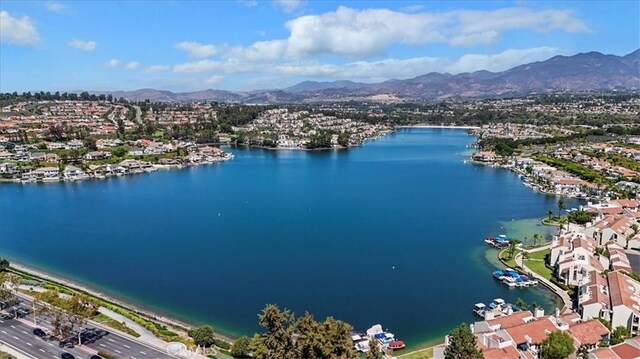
x: 391, y: 233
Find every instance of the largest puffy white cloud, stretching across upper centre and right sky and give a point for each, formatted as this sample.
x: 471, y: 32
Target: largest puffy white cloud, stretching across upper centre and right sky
x: 365, y: 33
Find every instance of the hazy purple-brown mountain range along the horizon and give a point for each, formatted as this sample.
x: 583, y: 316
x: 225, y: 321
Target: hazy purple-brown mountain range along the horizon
x: 584, y: 72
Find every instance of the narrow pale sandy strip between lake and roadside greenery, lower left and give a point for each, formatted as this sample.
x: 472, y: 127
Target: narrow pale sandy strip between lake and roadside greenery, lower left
x: 78, y: 287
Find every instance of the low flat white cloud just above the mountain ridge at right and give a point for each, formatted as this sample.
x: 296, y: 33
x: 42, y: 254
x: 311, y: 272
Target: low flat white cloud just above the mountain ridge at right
x: 502, y: 61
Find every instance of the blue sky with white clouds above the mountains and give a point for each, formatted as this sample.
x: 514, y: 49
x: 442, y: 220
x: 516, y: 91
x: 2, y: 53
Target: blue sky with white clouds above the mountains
x: 247, y: 45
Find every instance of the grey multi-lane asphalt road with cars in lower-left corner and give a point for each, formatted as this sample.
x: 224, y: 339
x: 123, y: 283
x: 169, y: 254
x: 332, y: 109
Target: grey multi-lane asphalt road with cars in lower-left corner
x: 18, y: 333
